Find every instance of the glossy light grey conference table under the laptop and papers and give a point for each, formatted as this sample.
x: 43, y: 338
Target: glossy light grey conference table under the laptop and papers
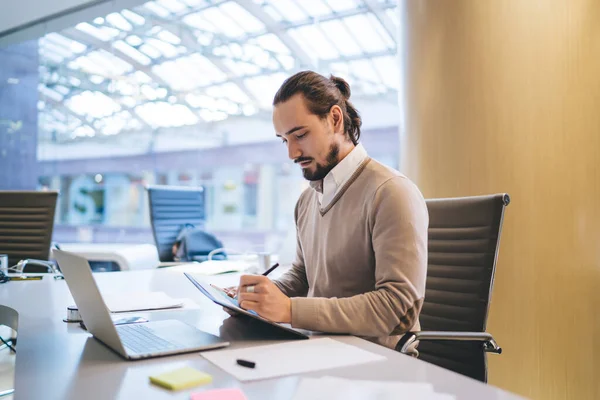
x: 59, y: 360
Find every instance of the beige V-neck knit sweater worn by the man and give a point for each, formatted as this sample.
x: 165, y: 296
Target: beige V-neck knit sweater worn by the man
x: 361, y: 262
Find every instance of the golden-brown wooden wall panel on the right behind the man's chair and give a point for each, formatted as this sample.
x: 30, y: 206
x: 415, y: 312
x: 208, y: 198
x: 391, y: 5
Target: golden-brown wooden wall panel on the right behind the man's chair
x: 504, y: 96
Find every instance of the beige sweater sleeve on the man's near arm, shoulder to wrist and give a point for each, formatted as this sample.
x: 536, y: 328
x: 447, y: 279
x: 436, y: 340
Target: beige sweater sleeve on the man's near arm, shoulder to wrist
x: 398, y: 220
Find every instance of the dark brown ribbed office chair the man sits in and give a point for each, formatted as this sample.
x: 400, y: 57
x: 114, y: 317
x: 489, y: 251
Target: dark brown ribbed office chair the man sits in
x: 464, y: 237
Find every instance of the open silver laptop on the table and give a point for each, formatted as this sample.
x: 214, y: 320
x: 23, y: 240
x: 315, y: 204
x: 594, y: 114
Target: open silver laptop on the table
x: 131, y: 341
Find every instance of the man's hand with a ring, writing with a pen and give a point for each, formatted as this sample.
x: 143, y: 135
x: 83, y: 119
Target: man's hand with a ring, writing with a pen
x: 258, y: 293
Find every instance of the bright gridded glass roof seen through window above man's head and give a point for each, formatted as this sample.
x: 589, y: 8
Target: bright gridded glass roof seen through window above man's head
x: 232, y: 65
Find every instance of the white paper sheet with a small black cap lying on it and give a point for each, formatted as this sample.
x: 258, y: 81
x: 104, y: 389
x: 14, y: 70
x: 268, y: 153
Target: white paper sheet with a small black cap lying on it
x: 290, y: 358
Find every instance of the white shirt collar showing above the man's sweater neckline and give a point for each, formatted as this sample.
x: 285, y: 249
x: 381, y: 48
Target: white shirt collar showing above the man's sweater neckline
x: 339, y: 175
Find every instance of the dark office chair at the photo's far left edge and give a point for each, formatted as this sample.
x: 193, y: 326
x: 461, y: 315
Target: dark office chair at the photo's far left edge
x: 26, y: 224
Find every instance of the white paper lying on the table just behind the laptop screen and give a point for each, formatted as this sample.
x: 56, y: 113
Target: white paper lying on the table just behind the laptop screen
x: 140, y: 301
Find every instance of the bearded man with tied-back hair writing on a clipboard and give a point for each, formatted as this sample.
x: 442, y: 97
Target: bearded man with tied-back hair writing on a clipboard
x: 361, y: 227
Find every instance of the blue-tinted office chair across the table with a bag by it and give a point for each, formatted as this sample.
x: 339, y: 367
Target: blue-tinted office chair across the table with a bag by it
x: 172, y: 209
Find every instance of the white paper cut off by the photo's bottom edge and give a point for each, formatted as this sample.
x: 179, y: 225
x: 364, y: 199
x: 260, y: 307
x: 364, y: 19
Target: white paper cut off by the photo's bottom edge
x: 333, y: 388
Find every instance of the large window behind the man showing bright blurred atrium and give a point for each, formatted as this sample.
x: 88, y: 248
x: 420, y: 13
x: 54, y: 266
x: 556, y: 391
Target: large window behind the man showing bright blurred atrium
x: 179, y: 92
